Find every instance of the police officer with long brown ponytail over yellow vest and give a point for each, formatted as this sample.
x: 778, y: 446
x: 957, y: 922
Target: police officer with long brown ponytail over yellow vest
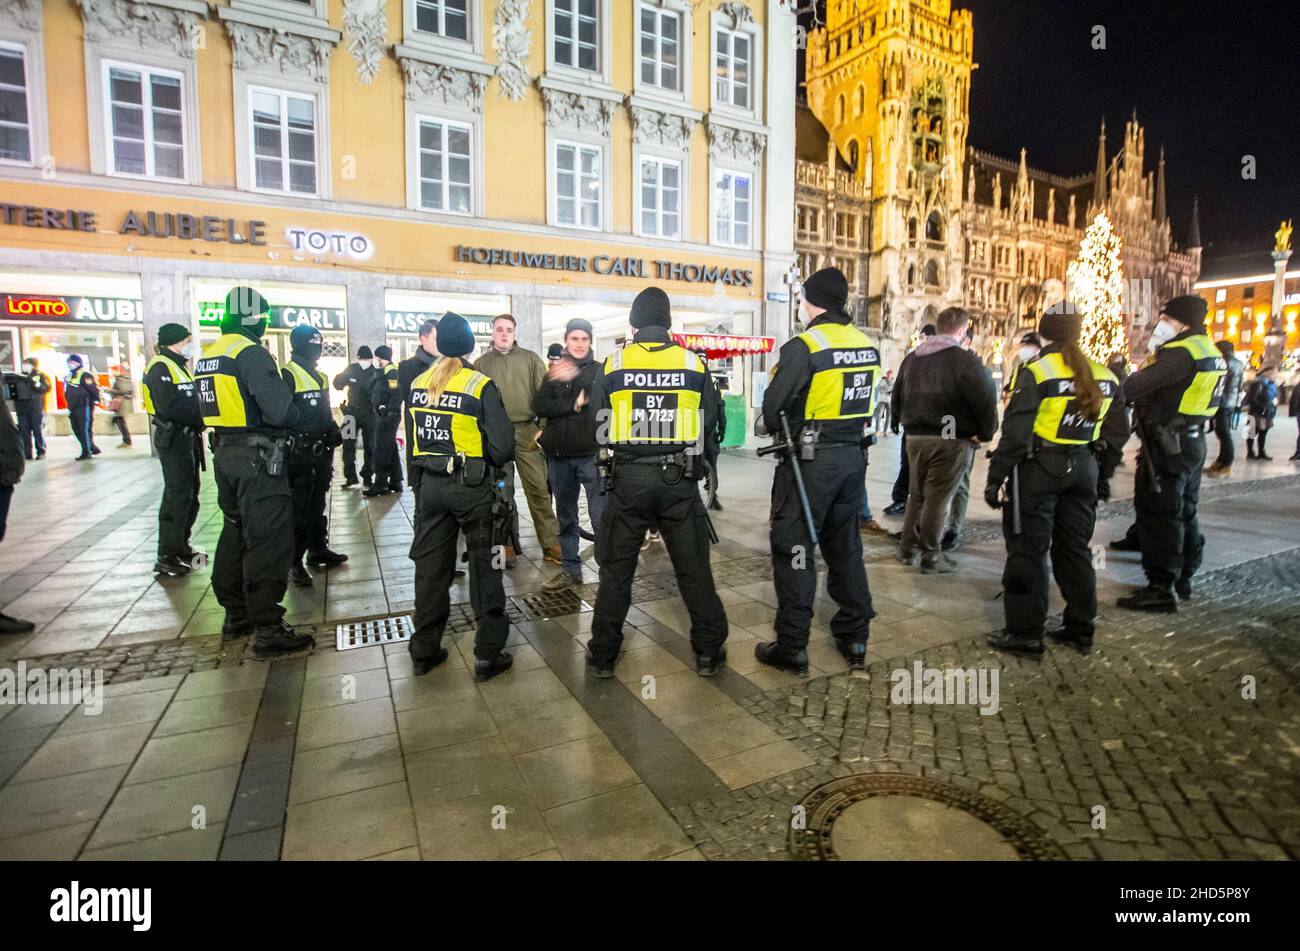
x: 1051, y: 440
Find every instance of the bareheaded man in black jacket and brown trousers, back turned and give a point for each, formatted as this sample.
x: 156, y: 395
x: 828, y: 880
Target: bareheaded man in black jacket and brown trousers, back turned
x: 948, y: 406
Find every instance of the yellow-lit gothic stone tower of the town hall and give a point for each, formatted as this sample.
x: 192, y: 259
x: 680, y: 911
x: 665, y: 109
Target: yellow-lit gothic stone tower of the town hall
x: 891, y: 82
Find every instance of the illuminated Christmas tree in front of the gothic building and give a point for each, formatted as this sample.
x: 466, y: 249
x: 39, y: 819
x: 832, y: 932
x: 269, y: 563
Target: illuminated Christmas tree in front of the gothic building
x: 1095, y: 284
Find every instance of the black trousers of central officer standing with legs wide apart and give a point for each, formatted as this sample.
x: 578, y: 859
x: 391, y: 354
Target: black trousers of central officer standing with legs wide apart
x: 640, y: 501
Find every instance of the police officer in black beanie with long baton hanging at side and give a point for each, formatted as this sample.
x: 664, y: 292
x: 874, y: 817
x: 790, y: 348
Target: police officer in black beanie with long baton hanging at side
x: 826, y: 385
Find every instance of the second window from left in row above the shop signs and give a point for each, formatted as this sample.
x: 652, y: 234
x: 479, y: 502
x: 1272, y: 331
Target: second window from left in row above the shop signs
x: 146, y: 115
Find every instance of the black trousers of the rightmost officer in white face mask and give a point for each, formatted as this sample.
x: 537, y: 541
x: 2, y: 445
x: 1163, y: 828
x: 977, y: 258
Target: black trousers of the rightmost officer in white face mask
x: 1171, y: 537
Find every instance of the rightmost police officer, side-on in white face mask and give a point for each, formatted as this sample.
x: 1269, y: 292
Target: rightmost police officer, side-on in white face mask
x: 1173, y: 396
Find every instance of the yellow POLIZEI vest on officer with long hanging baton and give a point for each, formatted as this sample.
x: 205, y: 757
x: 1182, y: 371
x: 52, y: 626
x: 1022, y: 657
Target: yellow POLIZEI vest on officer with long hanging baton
x: 846, y: 372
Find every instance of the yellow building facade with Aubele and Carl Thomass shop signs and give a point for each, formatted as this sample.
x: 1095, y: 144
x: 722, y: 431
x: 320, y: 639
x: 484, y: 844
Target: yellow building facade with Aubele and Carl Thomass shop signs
x: 371, y: 163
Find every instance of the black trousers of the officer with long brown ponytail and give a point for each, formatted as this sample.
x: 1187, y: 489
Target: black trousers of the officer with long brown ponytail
x: 1059, y: 511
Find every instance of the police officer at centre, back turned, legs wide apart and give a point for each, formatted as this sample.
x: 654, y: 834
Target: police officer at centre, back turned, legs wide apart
x: 662, y: 411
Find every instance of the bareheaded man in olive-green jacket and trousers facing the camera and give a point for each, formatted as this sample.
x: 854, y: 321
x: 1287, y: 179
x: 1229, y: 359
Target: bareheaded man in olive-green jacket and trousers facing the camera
x: 519, y: 375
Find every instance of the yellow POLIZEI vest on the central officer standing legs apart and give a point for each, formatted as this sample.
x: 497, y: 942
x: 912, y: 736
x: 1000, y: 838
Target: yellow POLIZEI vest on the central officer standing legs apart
x: 655, y: 396
